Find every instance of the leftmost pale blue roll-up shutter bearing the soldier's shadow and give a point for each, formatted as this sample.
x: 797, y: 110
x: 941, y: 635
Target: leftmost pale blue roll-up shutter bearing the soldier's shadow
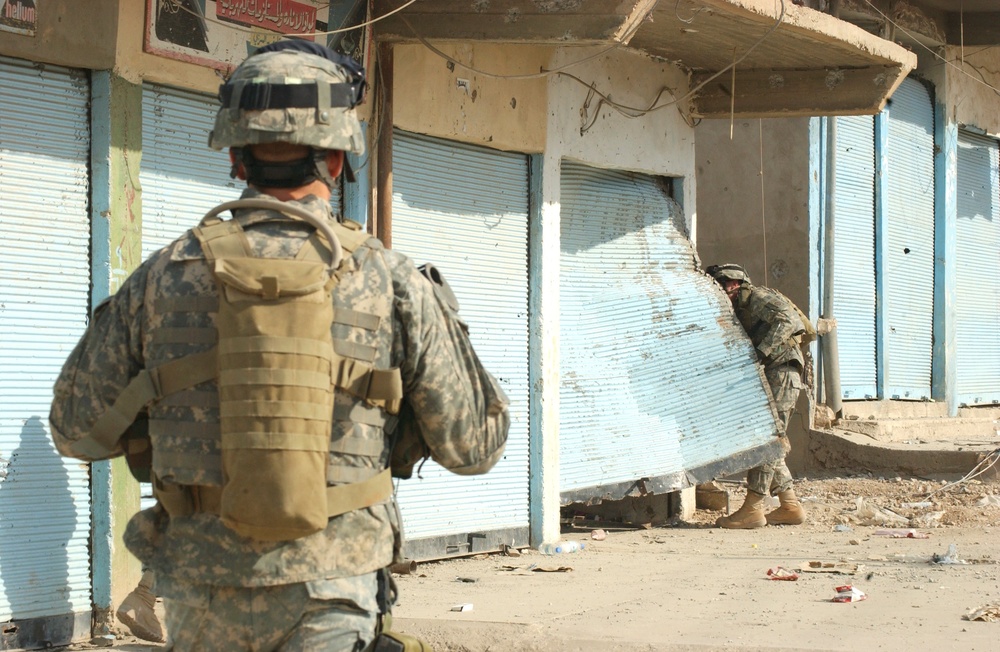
x: 44, y: 308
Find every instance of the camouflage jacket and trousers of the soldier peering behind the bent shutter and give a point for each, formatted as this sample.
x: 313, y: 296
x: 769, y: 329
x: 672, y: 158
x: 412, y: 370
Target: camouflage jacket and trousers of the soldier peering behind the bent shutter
x: 773, y: 325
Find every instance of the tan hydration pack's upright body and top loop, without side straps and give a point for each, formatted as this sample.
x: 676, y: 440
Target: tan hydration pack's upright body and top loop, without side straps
x: 275, y: 366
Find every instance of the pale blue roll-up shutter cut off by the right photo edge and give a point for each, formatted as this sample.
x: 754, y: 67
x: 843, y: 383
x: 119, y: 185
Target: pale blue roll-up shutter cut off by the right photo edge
x: 977, y: 297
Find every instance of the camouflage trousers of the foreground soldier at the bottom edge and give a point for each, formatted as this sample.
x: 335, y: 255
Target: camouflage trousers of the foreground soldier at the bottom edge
x: 329, y: 615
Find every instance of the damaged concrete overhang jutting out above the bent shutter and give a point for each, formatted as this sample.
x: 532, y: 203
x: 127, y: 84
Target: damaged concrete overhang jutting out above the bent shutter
x: 793, y: 60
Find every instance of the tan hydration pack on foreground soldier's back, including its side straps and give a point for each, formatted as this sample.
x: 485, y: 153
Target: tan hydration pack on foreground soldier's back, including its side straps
x: 277, y: 368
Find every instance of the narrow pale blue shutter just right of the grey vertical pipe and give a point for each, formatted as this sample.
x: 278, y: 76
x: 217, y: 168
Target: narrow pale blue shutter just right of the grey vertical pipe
x: 854, y: 255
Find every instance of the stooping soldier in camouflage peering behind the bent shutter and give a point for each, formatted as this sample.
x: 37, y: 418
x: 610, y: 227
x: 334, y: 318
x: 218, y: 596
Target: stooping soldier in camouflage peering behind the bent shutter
x: 774, y: 326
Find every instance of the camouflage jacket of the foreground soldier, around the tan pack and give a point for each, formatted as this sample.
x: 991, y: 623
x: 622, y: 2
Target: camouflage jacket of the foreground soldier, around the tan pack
x: 163, y: 312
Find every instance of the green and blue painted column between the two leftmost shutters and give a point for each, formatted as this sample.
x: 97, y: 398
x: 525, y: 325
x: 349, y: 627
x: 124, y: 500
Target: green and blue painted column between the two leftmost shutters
x: 116, y: 250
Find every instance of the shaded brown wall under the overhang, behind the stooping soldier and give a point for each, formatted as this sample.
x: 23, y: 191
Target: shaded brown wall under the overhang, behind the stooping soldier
x: 730, y: 226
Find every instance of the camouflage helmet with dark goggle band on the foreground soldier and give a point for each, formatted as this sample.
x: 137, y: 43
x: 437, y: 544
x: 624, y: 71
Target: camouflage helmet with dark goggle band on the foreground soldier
x: 295, y: 92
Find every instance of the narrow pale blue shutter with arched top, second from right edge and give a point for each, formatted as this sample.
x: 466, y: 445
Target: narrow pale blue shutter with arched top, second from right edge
x: 909, y: 263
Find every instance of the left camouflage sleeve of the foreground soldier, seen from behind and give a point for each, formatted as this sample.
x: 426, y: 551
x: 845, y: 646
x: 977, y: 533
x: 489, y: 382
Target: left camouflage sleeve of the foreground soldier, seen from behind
x: 103, y: 362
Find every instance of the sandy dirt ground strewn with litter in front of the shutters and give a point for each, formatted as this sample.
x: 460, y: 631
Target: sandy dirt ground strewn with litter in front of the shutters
x: 688, y: 586
